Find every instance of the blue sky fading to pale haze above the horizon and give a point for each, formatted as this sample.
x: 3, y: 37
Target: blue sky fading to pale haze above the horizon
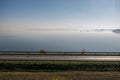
x: 22, y: 14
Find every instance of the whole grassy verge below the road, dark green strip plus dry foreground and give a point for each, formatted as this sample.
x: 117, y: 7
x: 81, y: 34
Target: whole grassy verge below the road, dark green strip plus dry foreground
x: 29, y: 70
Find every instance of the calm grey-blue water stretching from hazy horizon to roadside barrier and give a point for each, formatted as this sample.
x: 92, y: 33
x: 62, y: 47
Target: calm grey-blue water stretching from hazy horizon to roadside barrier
x: 61, y: 40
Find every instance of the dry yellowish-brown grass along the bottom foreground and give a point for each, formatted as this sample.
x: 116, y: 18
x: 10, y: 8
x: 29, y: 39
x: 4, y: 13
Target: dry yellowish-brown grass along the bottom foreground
x: 71, y: 75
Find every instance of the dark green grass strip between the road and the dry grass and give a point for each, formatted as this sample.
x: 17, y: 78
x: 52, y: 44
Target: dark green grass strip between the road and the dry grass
x: 58, y: 66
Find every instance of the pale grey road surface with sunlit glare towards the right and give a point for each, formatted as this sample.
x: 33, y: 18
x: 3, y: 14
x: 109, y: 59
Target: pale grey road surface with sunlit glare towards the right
x: 59, y: 58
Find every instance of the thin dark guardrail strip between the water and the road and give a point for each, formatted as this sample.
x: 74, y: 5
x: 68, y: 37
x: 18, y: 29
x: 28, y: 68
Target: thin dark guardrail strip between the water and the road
x: 57, y: 53
